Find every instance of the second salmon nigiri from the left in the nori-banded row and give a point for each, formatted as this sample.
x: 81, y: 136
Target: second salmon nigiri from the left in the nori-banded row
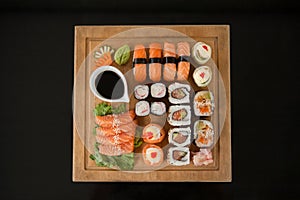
x: 155, y: 52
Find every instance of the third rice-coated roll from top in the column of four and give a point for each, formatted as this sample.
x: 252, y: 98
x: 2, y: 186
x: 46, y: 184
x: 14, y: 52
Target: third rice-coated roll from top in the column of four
x: 180, y: 136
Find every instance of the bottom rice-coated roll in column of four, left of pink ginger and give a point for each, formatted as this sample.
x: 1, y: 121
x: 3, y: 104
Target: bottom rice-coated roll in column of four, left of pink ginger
x: 178, y: 156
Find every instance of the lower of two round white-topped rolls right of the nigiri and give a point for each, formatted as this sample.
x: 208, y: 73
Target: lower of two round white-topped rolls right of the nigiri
x: 202, y: 76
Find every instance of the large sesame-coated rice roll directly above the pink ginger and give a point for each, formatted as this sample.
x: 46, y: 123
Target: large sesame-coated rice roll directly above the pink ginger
x: 203, y: 133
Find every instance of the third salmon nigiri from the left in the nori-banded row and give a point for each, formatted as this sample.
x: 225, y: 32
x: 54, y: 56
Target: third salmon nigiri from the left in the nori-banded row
x: 170, y: 64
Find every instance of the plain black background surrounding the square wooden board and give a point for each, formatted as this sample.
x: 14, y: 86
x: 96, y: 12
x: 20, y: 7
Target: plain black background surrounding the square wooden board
x: 36, y: 80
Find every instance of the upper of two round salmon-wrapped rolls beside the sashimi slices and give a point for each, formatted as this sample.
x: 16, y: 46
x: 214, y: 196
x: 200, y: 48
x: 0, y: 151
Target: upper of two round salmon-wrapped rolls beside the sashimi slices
x: 153, y: 133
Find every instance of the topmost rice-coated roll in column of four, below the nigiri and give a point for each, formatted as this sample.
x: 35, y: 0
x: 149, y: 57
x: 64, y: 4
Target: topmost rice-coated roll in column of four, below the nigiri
x: 179, y: 93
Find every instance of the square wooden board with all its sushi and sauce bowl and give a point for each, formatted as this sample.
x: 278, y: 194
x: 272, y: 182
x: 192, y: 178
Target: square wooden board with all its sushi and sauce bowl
x: 152, y: 103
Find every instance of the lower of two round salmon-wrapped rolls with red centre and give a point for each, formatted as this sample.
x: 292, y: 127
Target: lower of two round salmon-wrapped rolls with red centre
x: 153, y: 155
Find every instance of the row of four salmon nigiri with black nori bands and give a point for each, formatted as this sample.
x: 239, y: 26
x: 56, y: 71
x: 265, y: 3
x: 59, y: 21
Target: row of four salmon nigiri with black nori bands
x: 166, y: 63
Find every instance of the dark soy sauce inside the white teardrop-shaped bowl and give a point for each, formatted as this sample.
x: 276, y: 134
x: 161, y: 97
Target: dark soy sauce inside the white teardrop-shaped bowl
x: 110, y: 85
